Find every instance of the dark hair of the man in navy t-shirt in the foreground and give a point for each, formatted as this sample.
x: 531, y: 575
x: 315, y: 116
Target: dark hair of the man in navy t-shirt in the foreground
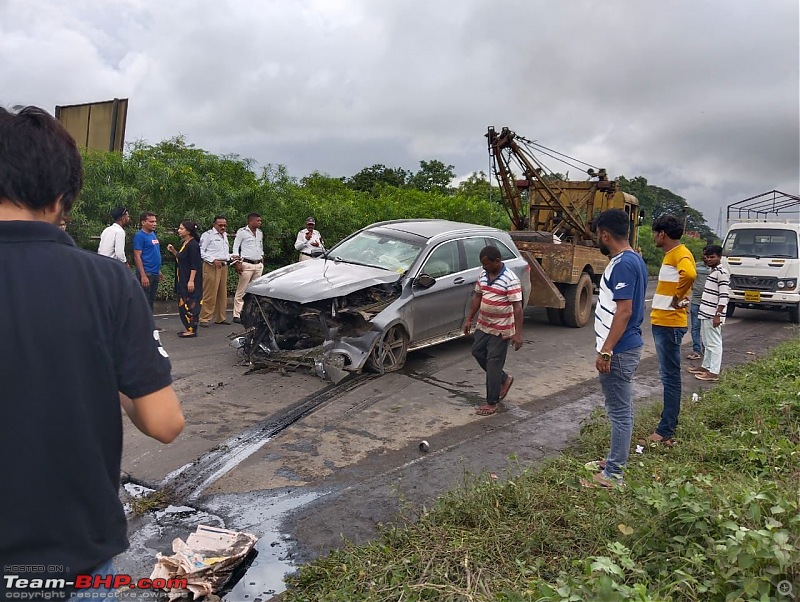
x: 39, y: 160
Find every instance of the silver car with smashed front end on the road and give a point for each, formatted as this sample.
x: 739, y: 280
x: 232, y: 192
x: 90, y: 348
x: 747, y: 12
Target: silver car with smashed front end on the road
x: 388, y: 289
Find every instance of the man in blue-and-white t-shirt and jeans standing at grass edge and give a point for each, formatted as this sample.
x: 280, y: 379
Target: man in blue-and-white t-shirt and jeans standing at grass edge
x: 618, y: 321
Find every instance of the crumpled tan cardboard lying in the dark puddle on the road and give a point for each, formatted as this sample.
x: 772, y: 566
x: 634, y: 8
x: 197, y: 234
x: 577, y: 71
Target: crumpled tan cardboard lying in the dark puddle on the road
x: 206, y: 560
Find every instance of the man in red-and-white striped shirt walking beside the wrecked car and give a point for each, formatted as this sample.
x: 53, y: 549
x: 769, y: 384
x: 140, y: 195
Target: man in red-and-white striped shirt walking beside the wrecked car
x: 498, y: 303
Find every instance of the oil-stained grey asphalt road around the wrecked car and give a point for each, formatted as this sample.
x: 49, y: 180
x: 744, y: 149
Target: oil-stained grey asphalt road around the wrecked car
x: 350, y: 462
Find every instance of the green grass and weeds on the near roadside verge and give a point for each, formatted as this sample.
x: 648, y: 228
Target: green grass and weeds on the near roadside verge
x: 714, y: 518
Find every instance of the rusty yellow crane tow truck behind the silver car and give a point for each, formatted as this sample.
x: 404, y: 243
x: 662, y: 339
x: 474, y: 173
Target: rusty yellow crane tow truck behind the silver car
x: 551, y: 224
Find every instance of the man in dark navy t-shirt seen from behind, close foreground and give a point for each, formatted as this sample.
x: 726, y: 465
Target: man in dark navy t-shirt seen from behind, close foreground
x: 77, y: 340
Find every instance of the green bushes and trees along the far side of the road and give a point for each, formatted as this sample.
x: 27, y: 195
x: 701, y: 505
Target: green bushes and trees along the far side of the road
x: 178, y: 181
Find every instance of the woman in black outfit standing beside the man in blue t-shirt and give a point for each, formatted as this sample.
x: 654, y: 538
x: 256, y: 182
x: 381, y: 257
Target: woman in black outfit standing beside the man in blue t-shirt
x: 188, y: 277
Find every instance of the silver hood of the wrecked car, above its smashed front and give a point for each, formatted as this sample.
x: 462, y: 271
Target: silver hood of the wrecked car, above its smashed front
x: 317, y: 279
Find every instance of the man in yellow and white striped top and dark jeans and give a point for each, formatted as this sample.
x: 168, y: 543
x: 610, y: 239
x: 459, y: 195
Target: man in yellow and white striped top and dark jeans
x: 668, y: 318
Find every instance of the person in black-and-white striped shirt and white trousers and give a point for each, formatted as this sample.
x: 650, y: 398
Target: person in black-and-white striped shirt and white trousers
x: 713, y: 305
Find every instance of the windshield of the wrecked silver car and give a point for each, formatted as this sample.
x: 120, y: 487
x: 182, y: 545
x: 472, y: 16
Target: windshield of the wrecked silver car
x: 378, y: 249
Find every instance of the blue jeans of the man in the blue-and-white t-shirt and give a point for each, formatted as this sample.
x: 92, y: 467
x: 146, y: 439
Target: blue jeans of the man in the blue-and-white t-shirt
x: 617, y: 387
